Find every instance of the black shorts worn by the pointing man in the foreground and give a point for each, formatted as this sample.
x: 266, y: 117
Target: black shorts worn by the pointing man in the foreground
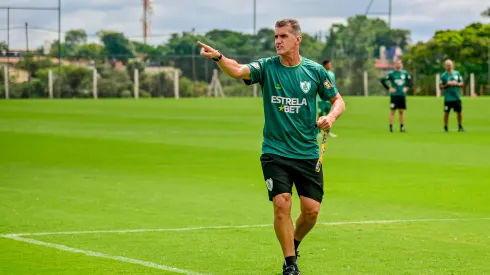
x: 280, y: 173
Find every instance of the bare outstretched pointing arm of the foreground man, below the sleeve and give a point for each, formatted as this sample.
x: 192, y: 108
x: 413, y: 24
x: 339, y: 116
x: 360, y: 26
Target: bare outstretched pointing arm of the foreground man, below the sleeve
x: 227, y: 65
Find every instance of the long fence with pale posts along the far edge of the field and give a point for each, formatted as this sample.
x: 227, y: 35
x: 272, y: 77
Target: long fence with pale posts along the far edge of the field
x: 183, y: 76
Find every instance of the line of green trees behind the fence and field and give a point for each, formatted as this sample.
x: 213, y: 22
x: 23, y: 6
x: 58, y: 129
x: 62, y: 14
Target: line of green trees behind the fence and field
x: 353, y: 46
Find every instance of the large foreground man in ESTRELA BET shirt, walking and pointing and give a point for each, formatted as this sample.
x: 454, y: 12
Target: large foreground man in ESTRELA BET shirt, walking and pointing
x: 290, y: 84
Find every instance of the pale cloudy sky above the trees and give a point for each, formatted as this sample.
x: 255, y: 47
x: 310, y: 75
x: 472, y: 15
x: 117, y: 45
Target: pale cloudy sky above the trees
x: 421, y: 17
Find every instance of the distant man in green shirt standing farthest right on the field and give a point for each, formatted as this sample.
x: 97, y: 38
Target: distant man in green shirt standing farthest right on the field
x: 450, y: 82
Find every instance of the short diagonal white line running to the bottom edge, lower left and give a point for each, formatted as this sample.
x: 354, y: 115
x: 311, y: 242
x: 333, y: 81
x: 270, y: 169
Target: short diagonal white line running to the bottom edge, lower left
x: 102, y: 255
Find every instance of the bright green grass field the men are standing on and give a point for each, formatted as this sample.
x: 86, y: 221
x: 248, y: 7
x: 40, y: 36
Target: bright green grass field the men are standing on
x: 193, y: 164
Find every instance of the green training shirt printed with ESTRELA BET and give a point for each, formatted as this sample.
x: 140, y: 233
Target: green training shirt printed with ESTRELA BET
x: 289, y: 95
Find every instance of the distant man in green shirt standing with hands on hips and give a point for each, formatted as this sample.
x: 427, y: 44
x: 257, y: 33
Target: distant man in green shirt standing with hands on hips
x: 400, y: 81
